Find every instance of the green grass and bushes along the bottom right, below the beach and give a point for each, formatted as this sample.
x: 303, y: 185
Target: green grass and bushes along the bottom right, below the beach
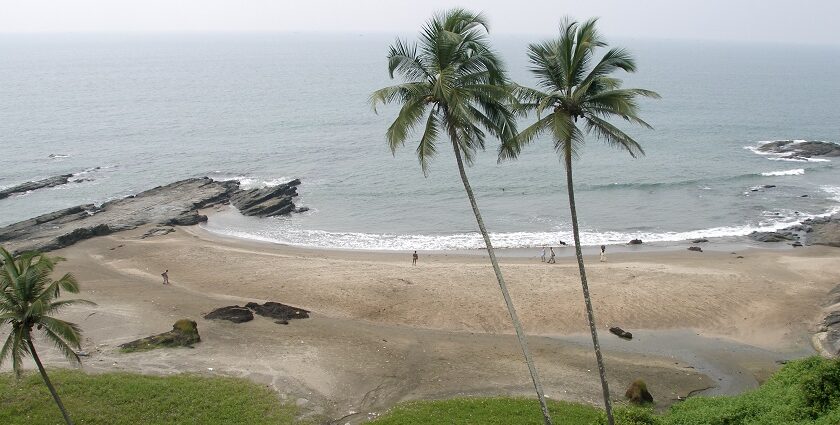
x: 804, y: 392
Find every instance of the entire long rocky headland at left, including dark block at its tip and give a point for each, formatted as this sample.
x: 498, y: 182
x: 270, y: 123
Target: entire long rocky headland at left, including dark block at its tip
x: 175, y: 204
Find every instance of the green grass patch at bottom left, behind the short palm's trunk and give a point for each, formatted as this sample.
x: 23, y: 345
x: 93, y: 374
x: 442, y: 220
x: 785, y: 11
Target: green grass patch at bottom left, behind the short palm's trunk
x: 131, y: 399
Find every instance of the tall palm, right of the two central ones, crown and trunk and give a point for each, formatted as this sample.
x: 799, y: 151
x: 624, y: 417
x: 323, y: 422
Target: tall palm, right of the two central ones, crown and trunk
x: 572, y: 91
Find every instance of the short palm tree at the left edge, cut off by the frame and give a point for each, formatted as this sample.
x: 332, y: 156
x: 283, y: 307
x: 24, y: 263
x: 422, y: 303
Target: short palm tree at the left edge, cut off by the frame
x: 27, y: 299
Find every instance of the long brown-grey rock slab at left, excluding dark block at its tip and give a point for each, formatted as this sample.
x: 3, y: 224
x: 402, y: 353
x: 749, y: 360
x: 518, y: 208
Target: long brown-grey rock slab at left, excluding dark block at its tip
x: 174, y: 204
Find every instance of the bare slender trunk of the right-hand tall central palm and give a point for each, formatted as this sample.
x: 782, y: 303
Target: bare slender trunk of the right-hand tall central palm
x: 589, y: 312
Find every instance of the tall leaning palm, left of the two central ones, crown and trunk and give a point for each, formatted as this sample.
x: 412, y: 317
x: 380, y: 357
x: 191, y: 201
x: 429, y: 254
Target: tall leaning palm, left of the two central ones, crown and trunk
x: 456, y: 87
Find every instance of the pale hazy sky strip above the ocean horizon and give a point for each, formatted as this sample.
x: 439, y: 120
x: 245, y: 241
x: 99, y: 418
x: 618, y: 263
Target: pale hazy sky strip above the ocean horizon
x: 804, y: 21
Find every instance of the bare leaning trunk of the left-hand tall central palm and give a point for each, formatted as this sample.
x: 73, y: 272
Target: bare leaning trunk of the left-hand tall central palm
x: 520, y: 334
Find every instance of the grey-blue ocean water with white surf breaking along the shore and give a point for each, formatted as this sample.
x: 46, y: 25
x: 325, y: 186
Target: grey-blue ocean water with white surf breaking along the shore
x: 265, y: 108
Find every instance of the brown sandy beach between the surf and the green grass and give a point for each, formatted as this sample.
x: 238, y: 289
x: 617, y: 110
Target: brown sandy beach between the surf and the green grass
x: 383, y: 331
